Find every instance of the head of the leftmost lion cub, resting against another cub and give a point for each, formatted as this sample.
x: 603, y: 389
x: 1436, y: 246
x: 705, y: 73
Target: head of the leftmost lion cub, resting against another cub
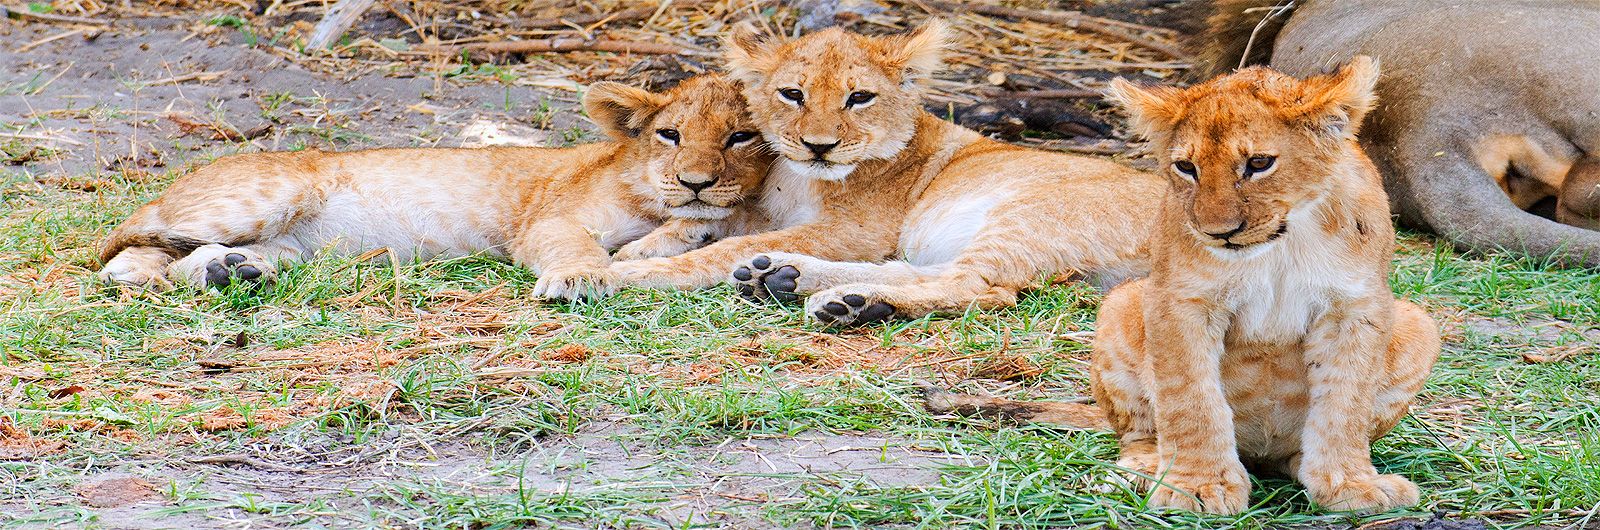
x: 697, y: 147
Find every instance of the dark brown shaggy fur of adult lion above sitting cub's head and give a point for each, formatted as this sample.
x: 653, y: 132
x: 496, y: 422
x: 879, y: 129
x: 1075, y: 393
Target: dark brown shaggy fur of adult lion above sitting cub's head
x: 1239, y: 33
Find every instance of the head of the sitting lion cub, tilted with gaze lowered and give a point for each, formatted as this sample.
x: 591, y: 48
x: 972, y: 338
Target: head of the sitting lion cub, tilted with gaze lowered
x: 1246, y: 151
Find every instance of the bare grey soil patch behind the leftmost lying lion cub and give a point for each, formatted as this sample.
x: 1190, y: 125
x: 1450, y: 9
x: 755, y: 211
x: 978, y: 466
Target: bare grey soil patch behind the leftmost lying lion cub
x: 151, y: 95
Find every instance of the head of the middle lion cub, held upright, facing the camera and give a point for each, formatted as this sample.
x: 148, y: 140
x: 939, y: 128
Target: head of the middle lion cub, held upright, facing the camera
x: 833, y: 100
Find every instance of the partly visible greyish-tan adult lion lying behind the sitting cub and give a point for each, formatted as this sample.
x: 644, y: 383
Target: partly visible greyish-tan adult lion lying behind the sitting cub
x: 1487, y: 108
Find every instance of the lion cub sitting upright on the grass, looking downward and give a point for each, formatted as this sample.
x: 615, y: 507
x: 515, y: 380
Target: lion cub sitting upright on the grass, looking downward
x: 1266, y: 332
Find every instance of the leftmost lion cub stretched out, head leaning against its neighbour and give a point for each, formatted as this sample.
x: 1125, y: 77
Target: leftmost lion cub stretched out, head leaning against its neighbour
x: 687, y: 158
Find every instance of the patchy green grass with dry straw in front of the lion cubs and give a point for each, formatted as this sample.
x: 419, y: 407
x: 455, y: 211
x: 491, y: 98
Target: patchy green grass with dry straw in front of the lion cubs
x: 430, y: 395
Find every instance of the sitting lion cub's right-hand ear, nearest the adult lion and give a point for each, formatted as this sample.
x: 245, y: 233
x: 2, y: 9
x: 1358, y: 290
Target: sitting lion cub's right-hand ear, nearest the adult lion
x: 1337, y: 103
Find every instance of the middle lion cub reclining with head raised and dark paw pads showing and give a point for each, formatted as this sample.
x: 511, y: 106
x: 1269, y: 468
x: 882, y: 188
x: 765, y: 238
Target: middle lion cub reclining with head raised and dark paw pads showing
x: 866, y: 175
